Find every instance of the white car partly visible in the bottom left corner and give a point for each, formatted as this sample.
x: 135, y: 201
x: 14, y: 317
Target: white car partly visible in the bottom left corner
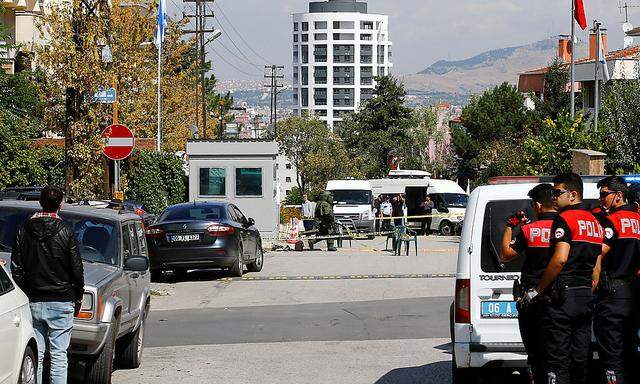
x: 19, y: 351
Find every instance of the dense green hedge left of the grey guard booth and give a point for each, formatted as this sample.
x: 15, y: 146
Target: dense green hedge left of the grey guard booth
x: 157, y: 180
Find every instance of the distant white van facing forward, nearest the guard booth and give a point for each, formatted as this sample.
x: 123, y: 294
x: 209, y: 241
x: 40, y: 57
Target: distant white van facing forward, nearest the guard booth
x: 353, y: 202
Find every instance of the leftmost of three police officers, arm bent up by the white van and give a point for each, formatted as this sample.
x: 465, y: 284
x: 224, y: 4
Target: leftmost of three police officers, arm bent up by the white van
x: 533, y: 241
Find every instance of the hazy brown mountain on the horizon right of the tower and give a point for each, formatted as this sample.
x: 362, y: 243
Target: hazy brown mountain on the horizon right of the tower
x: 455, y: 80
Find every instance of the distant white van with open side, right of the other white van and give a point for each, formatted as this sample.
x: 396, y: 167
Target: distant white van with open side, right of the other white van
x: 448, y: 198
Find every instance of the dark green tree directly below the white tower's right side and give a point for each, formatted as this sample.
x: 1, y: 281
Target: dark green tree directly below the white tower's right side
x: 381, y: 128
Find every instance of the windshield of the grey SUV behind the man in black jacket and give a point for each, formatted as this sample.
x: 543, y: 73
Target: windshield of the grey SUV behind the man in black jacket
x: 97, y: 240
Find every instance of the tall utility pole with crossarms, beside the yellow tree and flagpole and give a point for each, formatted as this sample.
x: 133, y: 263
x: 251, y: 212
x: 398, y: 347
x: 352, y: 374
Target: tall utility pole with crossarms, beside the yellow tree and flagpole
x: 201, y: 16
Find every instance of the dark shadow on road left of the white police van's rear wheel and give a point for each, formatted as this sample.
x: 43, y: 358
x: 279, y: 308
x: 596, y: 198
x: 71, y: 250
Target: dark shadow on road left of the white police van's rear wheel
x: 438, y: 372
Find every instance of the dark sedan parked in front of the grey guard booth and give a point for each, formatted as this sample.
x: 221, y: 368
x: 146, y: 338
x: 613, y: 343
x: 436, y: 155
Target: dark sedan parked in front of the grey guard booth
x: 204, y: 235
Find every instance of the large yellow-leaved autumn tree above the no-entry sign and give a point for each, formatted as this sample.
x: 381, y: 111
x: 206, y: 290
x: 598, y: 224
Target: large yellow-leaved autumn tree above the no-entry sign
x: 75, y: 66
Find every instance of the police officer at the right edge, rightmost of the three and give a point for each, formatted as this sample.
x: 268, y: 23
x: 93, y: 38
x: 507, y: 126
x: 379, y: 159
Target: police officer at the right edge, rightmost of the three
x: 618, y: 265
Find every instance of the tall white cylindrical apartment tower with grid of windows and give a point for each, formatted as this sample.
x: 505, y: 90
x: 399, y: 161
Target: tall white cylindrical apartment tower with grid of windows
x: 338, y: 48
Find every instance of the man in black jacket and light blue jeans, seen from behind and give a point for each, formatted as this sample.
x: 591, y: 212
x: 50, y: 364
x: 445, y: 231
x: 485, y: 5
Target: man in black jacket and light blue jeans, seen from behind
x: 46, y: 265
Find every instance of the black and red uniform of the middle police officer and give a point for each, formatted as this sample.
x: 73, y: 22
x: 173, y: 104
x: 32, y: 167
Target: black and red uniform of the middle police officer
x: 566, y: 320
